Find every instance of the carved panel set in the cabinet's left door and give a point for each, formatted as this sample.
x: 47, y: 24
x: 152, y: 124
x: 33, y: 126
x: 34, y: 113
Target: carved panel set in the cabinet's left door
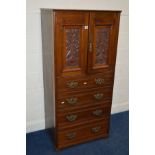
x: 72, y: 47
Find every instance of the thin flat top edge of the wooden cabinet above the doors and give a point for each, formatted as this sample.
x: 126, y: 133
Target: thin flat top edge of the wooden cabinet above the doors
x: 48, y: 9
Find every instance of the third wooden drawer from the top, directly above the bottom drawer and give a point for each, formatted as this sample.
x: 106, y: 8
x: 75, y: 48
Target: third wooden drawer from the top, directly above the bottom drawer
x: 82, y: 116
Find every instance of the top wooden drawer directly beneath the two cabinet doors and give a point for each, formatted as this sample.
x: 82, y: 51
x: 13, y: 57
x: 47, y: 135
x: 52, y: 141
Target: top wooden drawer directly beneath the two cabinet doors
x: 81, y: 83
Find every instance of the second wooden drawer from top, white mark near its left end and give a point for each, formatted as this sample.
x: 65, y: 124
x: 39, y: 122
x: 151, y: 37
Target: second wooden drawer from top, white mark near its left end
x: 70, y: 101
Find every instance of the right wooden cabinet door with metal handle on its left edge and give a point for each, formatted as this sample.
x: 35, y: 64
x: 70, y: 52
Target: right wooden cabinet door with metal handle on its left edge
x: 103, y: 35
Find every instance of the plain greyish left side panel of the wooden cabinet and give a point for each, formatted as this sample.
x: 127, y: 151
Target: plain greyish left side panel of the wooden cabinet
x: 48, y: 67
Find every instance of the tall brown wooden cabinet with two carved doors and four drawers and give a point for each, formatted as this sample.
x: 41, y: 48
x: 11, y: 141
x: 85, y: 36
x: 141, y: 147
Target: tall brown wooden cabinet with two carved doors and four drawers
x: 79, y: 54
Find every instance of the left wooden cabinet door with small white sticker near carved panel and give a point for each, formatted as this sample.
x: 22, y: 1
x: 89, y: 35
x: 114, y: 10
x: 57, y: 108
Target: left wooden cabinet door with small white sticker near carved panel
x: 71, y: 34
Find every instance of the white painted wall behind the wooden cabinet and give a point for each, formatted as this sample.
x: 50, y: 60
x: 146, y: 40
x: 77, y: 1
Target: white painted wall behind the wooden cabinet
x: 35, y: 119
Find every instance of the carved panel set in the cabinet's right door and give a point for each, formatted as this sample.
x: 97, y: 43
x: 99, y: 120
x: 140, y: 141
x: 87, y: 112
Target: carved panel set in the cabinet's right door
x: 102, y: 44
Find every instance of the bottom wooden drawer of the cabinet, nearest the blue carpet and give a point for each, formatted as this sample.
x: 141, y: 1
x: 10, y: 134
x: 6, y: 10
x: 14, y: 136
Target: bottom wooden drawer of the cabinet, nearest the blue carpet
x: 83, y: 133
